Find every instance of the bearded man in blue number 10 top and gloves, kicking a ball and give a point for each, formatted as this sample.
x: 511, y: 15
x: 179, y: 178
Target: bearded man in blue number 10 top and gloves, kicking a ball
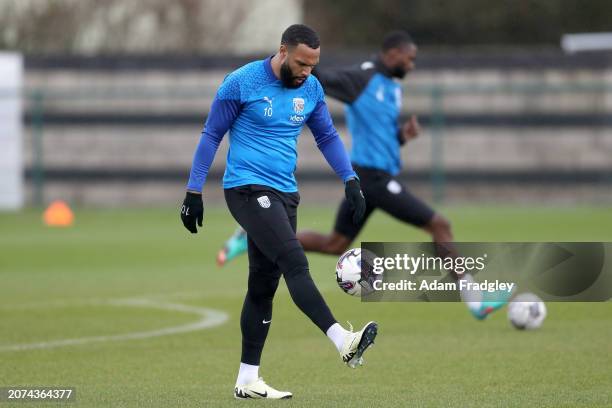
x: 264, y: 105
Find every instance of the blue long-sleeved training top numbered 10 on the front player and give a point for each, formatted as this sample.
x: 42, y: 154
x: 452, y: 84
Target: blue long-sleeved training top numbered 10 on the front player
x: 264, y: 120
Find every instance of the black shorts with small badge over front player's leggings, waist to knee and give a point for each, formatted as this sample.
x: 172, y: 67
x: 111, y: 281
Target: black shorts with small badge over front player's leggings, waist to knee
x: 269, y: 217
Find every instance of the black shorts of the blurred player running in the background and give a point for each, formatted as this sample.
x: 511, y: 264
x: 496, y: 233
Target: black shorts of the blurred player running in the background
x: 382, y: 190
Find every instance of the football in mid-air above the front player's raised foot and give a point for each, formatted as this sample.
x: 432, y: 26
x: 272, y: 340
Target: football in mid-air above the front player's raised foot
x: 349, y: 274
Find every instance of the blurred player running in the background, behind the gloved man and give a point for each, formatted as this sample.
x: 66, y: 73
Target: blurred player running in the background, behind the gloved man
x: 373, y: 99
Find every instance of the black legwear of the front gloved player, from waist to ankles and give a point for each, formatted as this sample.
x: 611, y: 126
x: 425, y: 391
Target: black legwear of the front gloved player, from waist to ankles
x: 269, y: 217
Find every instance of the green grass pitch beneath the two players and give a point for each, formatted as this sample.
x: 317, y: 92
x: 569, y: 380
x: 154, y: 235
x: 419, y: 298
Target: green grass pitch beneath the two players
x: 72, y: 299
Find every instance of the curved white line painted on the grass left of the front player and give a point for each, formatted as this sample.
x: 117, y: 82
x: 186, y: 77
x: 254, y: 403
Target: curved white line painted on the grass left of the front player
x: 210, y: 318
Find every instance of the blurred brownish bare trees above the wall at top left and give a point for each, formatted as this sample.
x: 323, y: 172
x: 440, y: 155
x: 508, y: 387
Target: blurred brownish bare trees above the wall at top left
x: 120, y: 26
